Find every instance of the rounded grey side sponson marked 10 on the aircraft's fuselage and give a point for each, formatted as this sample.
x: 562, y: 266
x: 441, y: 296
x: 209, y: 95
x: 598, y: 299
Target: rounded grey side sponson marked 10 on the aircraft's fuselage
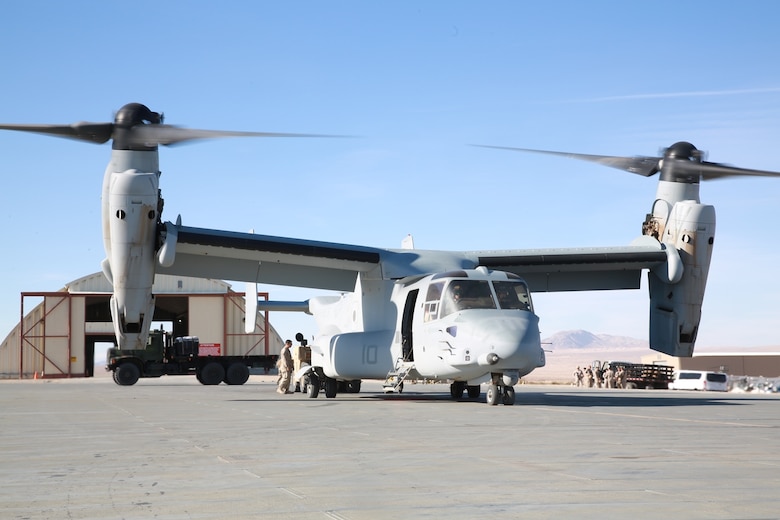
x: 357, y: 355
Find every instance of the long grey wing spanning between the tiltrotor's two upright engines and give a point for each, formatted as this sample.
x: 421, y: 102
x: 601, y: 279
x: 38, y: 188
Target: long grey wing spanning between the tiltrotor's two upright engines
x: 226, y: 255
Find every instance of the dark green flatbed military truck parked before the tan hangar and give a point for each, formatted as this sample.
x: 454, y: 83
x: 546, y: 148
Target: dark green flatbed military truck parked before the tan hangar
x: 164, y: 355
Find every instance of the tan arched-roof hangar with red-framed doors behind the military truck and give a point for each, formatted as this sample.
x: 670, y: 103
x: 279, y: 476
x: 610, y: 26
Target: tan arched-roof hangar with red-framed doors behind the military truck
x: 61, y: 334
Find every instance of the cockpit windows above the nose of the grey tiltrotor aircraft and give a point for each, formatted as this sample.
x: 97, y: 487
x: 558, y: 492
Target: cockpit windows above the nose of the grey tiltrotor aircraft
x: 447, y: 296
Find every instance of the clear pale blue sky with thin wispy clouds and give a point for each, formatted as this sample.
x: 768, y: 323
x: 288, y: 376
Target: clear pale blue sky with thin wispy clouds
x: 416, y: 82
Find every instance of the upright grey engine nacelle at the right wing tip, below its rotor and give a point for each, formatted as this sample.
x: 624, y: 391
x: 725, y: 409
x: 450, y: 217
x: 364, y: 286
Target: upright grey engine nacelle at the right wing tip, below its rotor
x: 675, y: 308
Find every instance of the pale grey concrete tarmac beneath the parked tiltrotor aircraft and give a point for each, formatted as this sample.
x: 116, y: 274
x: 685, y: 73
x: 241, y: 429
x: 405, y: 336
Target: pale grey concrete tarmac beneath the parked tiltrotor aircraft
x: 172, y: 449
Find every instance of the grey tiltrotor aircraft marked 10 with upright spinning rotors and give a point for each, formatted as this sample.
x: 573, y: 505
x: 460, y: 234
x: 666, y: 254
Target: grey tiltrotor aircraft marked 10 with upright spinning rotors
x: 465, y: 317
